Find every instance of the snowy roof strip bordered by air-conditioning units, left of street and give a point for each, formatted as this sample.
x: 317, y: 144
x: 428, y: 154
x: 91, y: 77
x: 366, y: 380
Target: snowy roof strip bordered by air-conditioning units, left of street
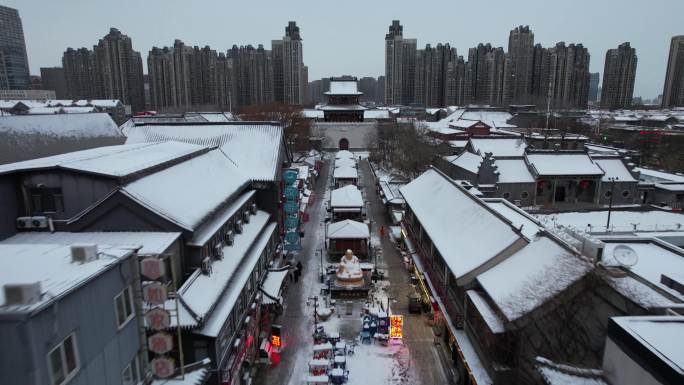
x: 201, y: 292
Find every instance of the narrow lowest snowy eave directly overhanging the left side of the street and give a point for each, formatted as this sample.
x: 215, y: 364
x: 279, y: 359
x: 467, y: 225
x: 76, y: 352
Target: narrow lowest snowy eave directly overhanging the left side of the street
x: 236, y: 284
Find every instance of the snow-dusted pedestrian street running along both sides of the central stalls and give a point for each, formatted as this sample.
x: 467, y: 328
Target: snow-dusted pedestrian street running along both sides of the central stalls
x: 416, y: 363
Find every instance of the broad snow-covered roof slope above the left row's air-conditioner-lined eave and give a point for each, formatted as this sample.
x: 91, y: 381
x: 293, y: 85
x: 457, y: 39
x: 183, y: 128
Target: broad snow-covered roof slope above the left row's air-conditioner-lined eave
x: 188, y: 192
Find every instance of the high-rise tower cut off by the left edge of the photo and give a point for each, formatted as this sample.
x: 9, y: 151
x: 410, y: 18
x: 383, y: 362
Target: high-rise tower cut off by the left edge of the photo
x: 14, y: 70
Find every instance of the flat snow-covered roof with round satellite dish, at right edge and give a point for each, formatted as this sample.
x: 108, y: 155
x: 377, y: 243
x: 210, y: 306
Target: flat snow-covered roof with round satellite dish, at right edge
x: 653, y: 260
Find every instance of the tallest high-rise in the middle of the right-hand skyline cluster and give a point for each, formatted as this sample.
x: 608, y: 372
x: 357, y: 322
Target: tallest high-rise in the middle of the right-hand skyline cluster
x: 519, y: 66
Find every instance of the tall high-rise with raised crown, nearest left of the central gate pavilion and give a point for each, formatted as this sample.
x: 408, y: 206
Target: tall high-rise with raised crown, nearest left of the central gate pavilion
x: 288, y: 63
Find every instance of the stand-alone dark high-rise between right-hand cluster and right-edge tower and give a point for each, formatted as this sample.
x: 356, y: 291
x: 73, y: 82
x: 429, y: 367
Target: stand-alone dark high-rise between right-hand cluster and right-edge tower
x: 618, y: 77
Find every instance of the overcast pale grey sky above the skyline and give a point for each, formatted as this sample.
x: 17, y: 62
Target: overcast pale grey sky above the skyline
x: 347, y: 37
